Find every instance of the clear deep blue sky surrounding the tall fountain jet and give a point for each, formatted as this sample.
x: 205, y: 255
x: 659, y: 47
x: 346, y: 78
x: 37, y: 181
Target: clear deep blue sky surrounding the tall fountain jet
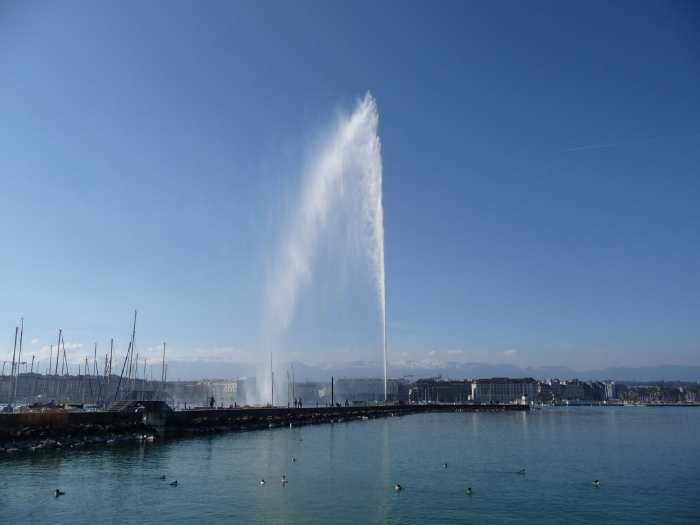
x: 540, y: 162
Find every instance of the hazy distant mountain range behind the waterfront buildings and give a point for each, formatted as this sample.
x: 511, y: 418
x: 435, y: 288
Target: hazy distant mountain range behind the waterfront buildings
x: 191, y: 370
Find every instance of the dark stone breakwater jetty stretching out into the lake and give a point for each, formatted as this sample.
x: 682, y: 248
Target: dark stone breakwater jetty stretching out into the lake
x: 33, y: 431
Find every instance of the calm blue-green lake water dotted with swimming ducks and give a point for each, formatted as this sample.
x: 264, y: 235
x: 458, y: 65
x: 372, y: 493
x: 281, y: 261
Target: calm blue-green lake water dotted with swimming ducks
x: 647, y: 460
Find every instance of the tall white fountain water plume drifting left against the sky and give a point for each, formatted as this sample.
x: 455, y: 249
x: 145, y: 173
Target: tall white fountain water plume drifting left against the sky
x: 345, y: 176
